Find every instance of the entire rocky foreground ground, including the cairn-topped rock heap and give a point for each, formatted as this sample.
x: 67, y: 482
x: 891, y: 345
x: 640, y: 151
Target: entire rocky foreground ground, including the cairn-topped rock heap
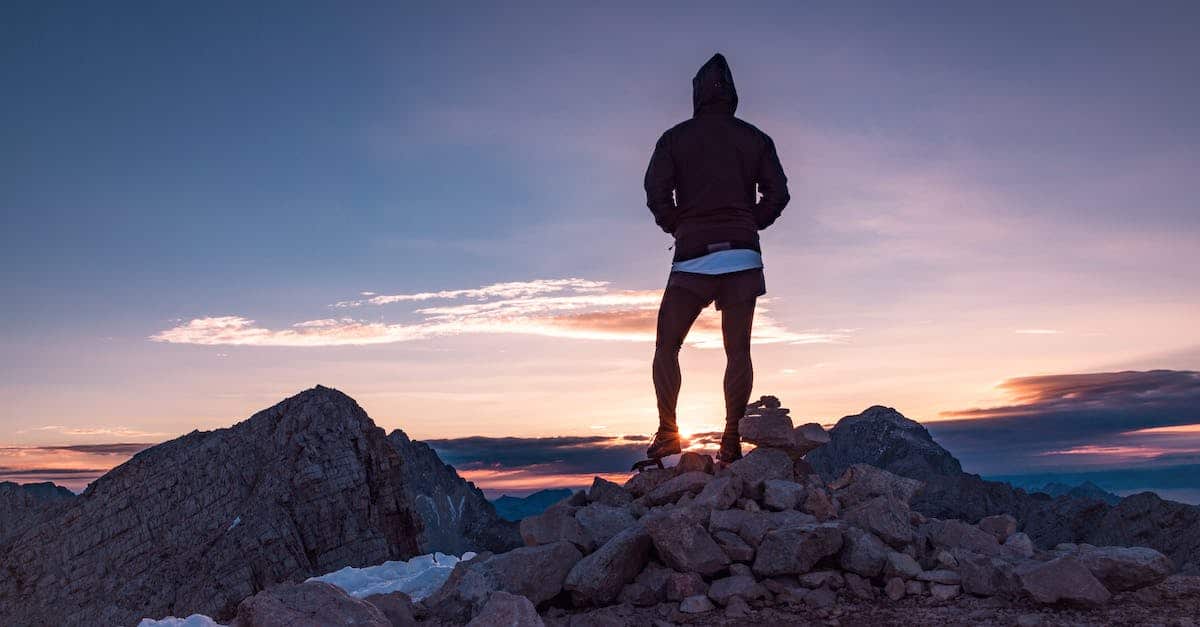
x: 767, y: 541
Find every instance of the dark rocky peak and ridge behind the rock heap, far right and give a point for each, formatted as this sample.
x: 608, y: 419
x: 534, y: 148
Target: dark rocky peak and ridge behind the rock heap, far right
x: 885, y: 439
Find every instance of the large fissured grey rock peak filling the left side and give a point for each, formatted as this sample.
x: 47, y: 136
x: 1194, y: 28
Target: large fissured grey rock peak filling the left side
x: 208, y: 519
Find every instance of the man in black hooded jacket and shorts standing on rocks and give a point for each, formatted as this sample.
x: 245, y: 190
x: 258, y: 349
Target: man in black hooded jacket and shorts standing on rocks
x: 703, y: 187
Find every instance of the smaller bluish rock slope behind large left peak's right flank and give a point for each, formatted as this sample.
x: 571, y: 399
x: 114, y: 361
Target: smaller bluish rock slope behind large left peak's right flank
x: 455, y: 516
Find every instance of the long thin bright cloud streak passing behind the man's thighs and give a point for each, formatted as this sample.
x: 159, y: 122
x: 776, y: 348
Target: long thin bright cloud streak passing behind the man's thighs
x: 554, y: 308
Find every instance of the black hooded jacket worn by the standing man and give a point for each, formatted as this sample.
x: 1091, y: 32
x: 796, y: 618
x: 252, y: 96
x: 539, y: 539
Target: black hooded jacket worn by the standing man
x: 701, y: 181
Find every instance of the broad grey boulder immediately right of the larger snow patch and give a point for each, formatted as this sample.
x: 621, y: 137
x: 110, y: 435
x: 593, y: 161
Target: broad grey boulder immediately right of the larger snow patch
x: 472, y: 582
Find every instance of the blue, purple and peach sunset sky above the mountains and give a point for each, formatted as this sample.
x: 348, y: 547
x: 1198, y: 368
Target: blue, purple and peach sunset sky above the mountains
x: 208, y: 208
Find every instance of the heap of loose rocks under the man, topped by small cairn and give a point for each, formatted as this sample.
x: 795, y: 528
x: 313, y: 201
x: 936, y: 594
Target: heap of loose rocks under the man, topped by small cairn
x: 767, y: 532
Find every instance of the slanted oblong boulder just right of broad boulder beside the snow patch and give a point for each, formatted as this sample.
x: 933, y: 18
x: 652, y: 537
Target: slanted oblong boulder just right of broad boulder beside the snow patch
x: 598, y: 578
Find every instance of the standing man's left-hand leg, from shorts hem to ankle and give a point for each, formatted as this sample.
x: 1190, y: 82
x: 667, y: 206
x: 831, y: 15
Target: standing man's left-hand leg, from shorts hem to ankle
x: 677, y: 314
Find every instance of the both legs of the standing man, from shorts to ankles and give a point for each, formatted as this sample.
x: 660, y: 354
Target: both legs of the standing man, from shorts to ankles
x: 677, y: 314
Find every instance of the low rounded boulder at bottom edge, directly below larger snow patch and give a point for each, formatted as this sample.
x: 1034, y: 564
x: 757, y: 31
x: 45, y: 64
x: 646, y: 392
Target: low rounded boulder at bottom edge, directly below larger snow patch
x: 308, y: 605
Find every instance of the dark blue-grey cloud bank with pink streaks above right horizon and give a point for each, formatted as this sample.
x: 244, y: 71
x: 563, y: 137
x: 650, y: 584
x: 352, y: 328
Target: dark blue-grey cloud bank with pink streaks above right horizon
x: 1097, y: 420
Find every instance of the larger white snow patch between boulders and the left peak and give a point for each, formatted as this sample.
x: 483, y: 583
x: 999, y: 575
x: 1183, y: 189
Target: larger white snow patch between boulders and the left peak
x: 418, y: 578
